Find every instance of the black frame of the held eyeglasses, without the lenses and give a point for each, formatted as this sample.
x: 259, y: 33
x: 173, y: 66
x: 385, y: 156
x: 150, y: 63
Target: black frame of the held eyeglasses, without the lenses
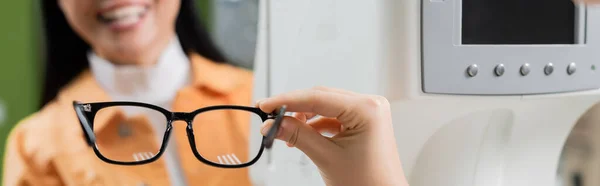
x: 89, y: 110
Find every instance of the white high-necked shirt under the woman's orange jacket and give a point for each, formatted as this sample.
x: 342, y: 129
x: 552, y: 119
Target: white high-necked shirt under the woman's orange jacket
x: 157, y: 84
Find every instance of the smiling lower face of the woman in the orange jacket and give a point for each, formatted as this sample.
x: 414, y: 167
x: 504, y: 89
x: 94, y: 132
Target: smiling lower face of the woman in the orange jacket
x: 123, y: 31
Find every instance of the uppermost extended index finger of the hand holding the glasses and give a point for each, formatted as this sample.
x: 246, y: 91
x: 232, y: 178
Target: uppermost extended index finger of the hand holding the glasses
x: 324, y: 103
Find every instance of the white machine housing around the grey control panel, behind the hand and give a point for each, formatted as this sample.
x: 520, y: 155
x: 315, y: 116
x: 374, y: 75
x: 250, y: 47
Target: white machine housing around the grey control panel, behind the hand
x: 444, y: 139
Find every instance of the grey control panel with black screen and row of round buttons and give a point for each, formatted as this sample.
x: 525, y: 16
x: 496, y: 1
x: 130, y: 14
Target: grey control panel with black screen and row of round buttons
x: 482, y: 47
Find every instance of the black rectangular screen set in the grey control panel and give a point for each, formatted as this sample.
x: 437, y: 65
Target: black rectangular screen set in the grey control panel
x: 519, y: 22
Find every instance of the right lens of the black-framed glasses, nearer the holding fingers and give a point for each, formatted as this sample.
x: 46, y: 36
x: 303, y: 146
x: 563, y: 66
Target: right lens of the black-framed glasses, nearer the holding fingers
x: 223, y: 136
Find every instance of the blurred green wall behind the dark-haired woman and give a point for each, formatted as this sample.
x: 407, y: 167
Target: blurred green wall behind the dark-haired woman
x: 20, y: 66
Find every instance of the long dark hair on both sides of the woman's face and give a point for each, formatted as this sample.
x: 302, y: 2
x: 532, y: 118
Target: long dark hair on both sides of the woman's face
x: 66, y: 53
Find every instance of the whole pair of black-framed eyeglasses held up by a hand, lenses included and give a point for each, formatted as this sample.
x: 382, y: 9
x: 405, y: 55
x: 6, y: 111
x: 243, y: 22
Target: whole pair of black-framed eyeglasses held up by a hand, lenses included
x: 123, y: 132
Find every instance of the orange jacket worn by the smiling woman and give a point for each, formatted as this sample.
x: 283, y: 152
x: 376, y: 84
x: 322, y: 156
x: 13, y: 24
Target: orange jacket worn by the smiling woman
x: 48, y: 147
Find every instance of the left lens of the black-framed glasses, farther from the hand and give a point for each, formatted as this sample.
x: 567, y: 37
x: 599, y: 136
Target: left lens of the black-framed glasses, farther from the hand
x: 127, y: 133
